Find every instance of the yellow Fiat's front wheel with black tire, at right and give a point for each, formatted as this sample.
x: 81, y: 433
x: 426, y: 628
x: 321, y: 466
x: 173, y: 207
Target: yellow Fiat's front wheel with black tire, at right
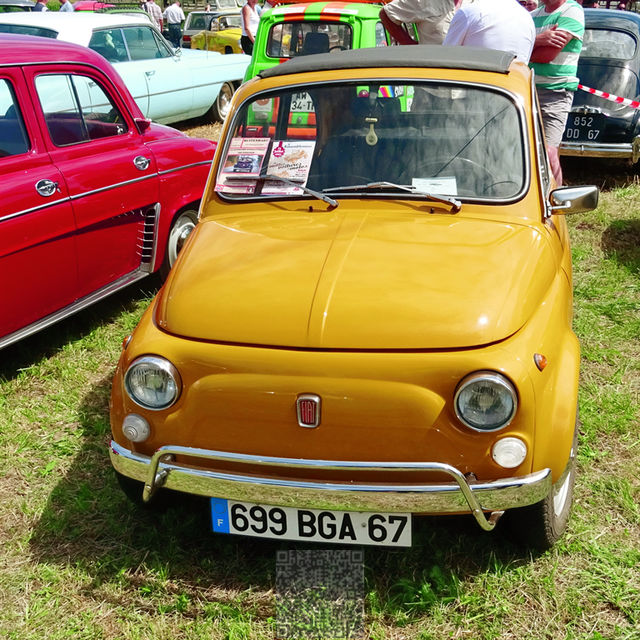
x: 540, y: 525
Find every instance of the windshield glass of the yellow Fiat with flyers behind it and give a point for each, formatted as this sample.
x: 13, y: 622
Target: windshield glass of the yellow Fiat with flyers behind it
x: 453, y: 140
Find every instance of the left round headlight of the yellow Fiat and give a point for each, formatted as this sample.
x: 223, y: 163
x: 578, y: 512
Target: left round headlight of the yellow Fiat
x: 152, y: 382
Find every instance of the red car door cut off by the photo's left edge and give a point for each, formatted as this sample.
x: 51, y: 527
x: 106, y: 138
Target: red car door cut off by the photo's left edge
x: 38, y: 270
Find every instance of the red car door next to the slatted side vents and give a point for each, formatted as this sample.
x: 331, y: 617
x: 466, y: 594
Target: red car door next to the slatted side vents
x: 110, y: 174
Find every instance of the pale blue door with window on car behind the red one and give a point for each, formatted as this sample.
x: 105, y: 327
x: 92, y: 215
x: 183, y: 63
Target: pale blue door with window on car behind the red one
x: 168, y: 77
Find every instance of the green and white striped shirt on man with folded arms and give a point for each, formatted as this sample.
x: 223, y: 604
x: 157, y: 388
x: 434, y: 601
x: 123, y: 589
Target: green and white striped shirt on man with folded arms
x: 561, y: 72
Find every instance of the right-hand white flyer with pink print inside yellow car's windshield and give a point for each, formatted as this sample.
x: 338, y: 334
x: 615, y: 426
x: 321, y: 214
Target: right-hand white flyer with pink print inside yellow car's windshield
x: 290, y: 159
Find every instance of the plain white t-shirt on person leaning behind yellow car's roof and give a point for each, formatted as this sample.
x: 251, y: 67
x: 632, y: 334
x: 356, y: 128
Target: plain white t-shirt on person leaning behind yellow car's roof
x: 494, y: 24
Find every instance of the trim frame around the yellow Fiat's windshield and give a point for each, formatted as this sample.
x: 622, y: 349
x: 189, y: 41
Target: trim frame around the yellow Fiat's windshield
x: 515, y: 99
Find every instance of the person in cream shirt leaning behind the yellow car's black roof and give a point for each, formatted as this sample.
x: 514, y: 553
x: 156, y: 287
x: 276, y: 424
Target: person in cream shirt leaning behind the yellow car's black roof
x: 431, y: 17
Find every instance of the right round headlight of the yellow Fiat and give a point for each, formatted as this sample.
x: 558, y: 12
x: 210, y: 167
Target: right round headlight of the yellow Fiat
x: 486, y: 401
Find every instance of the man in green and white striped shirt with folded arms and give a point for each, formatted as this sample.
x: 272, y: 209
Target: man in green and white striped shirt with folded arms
x: 559, y: 32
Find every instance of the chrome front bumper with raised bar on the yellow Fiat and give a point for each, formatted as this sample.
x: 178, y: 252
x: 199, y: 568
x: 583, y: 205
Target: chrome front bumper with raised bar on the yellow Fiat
x: 459, y: 496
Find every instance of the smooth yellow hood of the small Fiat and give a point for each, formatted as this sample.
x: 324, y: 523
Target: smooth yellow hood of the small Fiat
x: 356, y: 280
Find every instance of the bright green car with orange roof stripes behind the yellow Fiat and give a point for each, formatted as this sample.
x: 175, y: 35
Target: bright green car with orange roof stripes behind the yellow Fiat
x: 290, y: 30
